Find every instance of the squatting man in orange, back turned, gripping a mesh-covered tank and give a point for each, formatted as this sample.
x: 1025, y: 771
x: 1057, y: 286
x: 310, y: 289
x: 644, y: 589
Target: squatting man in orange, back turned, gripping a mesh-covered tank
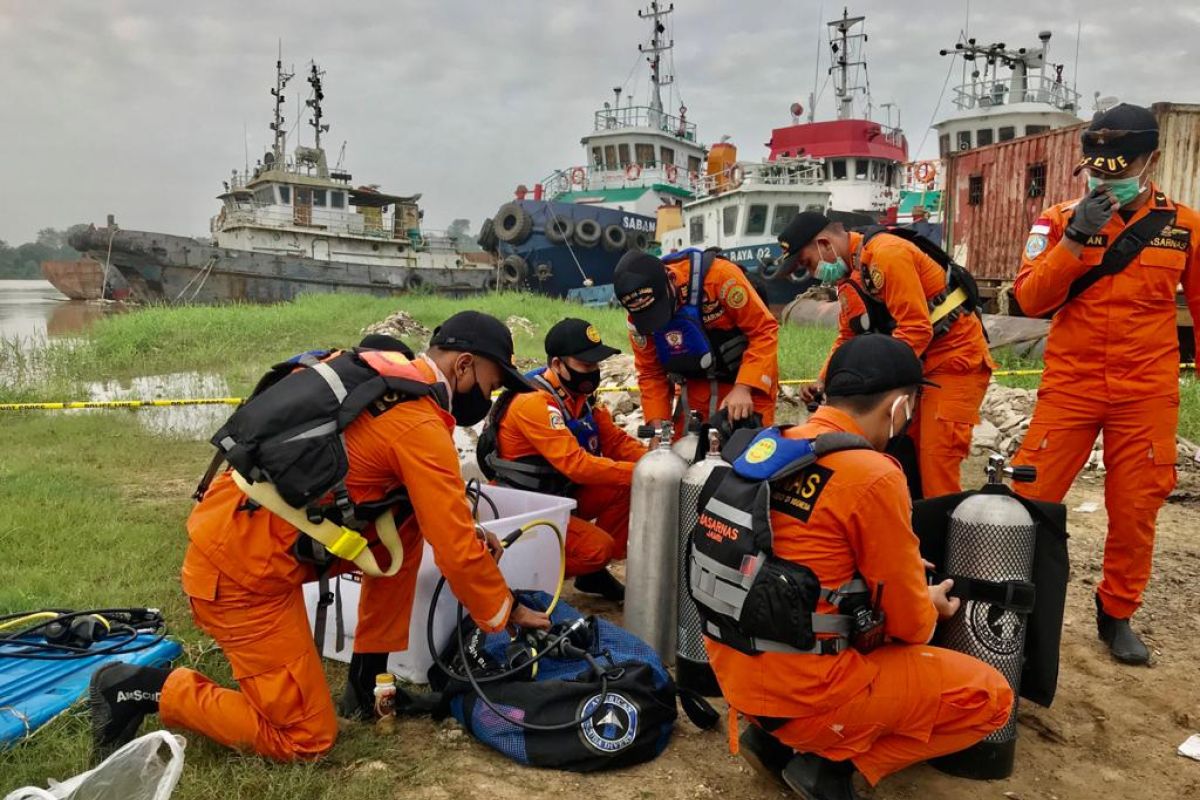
x: 842, y: 709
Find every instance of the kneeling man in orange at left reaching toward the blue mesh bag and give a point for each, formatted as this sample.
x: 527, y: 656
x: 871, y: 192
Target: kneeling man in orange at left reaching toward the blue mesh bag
x: 245, y: 586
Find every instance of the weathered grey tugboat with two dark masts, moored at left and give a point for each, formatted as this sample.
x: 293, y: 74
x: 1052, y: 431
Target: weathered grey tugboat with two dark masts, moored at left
x: 292, y: 226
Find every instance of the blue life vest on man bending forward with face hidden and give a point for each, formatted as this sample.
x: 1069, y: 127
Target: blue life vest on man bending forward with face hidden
x: 685, y: 347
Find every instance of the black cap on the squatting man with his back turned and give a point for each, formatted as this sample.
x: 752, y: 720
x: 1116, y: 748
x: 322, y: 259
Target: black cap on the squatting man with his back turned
x: 872, y: 364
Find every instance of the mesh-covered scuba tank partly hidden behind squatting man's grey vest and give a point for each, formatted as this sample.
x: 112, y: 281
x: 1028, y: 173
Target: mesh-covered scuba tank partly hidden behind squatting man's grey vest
x: 692, y: 666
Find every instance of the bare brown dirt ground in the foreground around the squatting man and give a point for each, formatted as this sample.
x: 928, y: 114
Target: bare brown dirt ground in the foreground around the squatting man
x: 1113, y: 730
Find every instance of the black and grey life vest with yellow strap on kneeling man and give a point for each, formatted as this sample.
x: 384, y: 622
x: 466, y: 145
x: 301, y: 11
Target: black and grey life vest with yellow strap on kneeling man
x: 289, y: 455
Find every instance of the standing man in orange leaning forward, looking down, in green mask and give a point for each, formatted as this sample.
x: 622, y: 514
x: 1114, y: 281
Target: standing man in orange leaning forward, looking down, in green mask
x: 904, y: 287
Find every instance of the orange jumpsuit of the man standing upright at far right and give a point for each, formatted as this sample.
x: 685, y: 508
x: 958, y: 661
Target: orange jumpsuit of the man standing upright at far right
x: 1112, y: 365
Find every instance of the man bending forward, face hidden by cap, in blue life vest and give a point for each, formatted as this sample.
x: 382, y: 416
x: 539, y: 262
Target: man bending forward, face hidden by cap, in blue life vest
x: 698, y: 323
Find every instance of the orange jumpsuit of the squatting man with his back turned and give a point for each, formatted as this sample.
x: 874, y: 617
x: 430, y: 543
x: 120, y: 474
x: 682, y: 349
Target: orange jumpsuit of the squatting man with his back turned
x: 901, y: 705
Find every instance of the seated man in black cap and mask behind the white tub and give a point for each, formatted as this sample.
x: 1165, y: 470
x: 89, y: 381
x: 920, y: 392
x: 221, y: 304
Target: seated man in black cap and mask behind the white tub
x: 557, y: 441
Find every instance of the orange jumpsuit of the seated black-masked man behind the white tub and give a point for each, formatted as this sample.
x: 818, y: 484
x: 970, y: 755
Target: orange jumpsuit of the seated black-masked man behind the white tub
x: 535, y: 426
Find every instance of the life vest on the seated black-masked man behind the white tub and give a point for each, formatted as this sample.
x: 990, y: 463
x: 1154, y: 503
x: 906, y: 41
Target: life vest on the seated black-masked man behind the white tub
x: 535, y: 473
